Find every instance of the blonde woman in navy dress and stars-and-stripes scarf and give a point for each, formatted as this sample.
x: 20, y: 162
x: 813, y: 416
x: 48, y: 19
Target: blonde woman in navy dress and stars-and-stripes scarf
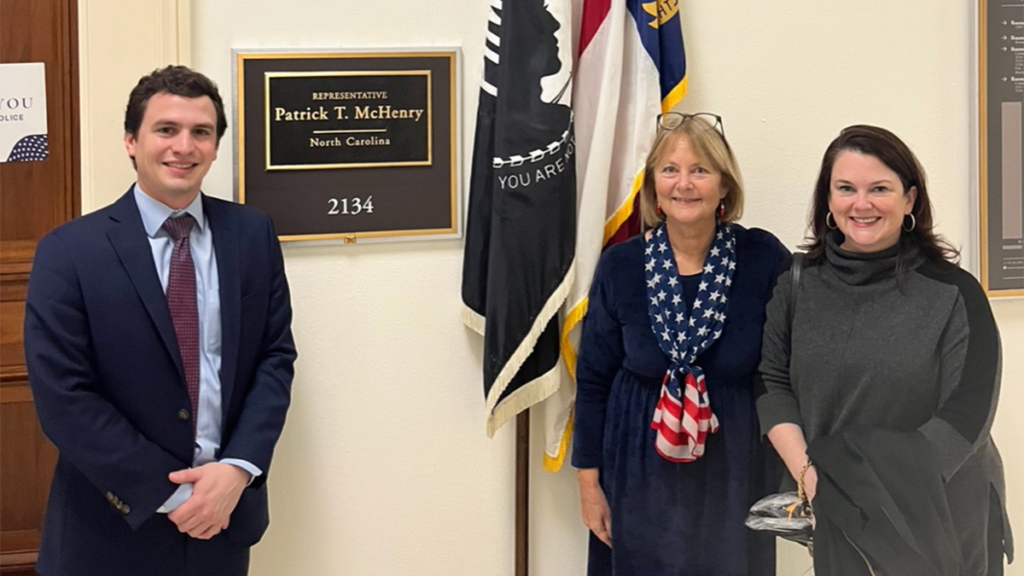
x: 667, y: 441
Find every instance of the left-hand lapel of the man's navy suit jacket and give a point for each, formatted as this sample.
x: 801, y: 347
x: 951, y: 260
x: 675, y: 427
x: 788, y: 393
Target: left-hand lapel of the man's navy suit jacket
x: 130, y: 241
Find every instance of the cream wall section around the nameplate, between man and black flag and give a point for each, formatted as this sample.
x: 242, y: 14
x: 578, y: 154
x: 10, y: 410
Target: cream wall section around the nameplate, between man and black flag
x: 385, y: 468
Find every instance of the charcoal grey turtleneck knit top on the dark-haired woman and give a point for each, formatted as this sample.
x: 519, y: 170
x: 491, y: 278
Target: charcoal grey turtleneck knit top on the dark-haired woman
x: 917, y: 350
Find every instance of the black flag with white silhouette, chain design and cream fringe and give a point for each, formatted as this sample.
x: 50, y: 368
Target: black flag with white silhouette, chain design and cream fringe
x: 521, y: 235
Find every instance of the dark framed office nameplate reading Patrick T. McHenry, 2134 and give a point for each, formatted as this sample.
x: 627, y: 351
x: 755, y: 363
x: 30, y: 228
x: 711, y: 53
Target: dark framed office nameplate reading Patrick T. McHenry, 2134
x: 351, y: 146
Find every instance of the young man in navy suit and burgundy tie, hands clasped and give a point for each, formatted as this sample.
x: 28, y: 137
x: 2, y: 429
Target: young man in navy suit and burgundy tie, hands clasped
x: 159, y: 346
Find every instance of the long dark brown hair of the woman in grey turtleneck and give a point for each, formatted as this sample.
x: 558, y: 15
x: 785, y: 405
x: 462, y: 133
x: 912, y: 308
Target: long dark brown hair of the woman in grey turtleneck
x: 898, y: 157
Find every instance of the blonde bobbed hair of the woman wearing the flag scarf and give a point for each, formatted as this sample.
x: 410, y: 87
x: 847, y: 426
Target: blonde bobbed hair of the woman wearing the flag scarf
x: 711, y: 145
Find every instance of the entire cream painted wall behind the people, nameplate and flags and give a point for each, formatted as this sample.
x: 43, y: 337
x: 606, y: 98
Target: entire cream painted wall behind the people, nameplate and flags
x: 385, y: 469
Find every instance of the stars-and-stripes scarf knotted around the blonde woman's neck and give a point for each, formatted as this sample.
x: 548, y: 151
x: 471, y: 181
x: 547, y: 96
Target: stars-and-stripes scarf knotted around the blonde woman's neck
x: 684, y: 418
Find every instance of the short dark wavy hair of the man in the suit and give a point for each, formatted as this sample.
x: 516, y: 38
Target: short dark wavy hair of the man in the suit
x: 178, y: 80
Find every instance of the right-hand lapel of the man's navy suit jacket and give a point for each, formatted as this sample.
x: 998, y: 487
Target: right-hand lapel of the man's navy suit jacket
x: 226, y: 246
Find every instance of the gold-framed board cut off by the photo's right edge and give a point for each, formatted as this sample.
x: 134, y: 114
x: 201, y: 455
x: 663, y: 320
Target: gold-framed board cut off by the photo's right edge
x: 1001, y: 50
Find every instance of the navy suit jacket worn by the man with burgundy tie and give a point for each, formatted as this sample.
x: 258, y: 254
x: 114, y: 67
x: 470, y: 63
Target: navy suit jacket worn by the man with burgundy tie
x: 110, y: 390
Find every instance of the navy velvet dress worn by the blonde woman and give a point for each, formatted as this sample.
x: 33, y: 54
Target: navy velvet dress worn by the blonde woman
x: 675, y: 519
